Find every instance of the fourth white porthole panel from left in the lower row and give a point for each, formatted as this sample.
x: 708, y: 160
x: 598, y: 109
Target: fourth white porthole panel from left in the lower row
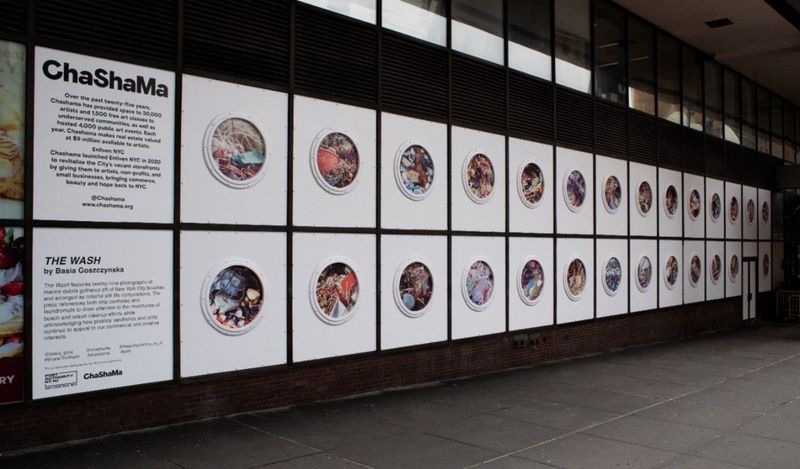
x: 472, y: 318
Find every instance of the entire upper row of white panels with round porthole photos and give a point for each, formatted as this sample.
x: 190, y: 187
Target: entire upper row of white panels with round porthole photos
x: 234, y: 170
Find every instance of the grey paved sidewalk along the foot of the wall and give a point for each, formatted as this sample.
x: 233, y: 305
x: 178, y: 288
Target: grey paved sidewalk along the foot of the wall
x: 725, y: 400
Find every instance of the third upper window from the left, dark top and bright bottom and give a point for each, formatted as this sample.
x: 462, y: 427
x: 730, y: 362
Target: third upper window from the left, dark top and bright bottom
x: 477, y: 29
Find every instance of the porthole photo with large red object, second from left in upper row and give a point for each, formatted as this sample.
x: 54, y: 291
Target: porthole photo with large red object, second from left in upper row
x: 335, y: 161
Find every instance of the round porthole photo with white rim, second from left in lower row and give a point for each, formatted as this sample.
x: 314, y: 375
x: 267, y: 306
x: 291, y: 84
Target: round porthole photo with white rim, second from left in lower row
x: 335, y: 291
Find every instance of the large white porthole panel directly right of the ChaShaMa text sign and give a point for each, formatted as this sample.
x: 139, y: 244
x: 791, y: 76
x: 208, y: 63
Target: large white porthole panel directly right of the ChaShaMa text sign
x: 221, y: 125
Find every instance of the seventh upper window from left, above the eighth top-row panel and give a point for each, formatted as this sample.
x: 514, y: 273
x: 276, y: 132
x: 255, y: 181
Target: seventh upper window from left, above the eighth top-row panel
x: 641, y: 70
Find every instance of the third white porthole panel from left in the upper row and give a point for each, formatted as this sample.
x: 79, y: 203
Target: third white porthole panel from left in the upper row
x: 413, y: 196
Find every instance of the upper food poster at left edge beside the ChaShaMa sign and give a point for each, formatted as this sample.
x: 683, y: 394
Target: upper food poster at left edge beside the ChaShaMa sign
x: 12, y: 129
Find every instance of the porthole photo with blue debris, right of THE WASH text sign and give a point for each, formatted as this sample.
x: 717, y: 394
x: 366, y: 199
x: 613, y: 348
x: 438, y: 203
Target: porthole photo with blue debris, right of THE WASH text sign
x: 232, y: 297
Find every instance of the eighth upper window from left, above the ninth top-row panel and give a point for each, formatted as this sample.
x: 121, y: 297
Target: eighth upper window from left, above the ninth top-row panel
x: 669, y: 56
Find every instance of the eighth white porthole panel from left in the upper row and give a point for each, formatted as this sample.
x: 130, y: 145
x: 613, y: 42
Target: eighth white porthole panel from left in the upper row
x: 643, y: 200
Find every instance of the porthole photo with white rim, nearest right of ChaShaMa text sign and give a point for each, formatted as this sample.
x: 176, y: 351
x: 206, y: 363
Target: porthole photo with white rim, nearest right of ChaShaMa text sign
x: 235, y: 150
